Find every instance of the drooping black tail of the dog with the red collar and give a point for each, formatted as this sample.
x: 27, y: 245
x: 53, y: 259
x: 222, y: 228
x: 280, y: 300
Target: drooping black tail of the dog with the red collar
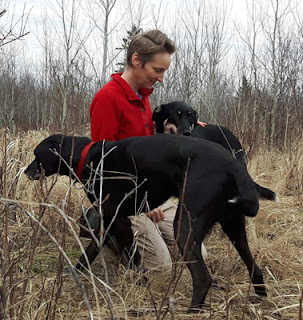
x: 246, y: 199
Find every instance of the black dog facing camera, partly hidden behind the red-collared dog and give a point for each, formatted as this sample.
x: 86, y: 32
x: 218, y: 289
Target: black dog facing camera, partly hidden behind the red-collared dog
x: 184, y: 118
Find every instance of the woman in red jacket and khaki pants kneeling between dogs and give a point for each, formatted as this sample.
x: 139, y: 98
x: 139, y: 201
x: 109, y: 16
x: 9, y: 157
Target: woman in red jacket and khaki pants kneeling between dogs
x: 121, y: 109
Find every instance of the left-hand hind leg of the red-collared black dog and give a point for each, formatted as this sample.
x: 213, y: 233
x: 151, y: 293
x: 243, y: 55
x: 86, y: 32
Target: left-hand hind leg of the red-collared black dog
x: 191, y: 252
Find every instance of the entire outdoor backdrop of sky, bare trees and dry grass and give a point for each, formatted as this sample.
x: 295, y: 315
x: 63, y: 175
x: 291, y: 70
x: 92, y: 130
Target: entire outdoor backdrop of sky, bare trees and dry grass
x: 238, y: 63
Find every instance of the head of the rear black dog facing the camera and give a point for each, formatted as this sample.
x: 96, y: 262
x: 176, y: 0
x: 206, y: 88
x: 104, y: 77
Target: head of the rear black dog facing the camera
x: 178, y: 113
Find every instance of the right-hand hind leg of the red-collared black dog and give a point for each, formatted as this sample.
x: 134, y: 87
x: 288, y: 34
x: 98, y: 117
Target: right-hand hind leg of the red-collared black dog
x: 236, y: 233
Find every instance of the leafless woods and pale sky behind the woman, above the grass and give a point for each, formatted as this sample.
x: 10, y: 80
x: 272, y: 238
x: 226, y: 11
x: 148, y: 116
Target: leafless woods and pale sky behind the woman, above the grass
x: 245, y: 74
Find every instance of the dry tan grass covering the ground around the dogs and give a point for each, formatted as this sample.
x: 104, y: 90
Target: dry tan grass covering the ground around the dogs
x: 37, y: 285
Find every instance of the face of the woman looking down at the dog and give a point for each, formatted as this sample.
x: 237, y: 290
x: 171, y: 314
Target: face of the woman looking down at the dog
x: 153, y: 70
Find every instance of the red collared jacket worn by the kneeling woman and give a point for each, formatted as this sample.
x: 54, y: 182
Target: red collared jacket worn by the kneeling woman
x: 117, y: 112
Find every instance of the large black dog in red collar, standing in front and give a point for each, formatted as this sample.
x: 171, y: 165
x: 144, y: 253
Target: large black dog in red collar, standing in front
x: 218, y: 189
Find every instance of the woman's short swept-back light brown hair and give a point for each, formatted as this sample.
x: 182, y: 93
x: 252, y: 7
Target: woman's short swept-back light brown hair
x: 148, y: 44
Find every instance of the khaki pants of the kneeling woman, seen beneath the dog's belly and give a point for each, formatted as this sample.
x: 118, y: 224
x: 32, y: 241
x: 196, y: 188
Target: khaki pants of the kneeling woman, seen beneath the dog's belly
x: 152, y: 238
